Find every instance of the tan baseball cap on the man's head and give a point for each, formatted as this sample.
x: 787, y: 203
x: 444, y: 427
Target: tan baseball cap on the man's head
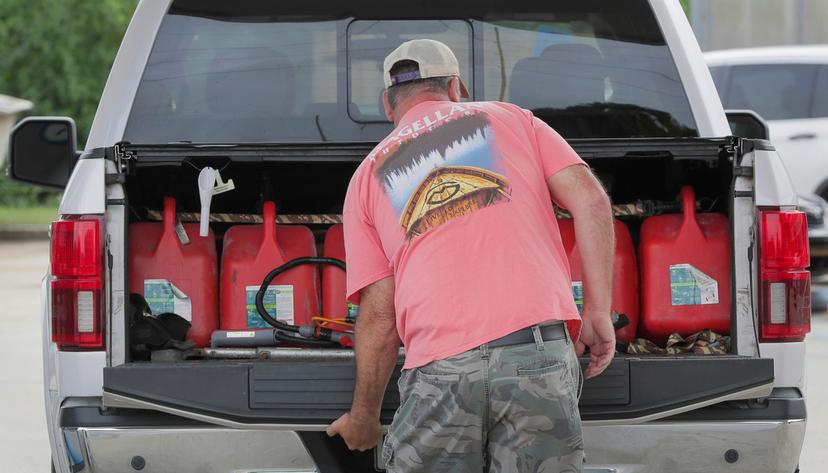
x: 434, y: 58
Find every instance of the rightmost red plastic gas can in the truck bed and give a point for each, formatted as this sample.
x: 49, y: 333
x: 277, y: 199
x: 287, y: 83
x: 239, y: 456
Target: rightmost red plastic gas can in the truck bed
x: 685, y: 272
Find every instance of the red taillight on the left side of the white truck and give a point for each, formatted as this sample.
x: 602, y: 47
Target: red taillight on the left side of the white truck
x: 77, y: 287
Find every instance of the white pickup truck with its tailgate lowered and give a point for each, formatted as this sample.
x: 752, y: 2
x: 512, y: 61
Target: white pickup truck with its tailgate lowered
x: 290, y: 90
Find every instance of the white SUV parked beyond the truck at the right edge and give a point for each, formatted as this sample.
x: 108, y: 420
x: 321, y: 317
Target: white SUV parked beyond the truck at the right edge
x: 788, y: 87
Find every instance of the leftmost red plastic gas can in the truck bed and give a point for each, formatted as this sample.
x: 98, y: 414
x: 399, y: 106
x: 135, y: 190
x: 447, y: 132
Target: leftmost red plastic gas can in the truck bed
x: 176, y: 277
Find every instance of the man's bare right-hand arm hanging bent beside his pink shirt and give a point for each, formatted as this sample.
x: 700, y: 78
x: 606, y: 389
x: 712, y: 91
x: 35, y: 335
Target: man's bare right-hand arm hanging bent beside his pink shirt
x: 580, y: 192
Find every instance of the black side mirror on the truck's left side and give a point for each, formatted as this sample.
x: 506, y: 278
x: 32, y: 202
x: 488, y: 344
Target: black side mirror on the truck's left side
x: 43, y: 151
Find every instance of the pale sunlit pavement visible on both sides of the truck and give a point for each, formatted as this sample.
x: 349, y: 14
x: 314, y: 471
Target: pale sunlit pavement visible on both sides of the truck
x: 24, y: 446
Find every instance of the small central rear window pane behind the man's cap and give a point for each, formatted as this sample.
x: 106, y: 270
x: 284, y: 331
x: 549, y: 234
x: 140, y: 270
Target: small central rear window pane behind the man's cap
x: 370, y: 41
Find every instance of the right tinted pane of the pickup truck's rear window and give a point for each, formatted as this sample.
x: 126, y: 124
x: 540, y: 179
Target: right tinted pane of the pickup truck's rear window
x: 588, y: 74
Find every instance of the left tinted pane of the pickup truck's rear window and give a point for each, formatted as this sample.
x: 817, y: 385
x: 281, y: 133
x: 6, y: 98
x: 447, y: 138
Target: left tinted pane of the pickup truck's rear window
x: 209, y: 80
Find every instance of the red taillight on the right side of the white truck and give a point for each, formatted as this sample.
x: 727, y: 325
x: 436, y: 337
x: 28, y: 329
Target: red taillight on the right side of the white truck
x: 785, y: 294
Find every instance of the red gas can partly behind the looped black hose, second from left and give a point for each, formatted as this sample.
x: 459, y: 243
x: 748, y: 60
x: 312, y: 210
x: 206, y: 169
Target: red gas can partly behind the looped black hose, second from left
x: 252, y: 251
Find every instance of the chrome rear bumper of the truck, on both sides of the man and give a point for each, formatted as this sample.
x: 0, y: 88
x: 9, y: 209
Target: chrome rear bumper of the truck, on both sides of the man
x: 655, y: 447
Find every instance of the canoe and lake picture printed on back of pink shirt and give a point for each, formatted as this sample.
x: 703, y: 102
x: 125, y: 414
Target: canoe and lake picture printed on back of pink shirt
x: 446, y: 172
